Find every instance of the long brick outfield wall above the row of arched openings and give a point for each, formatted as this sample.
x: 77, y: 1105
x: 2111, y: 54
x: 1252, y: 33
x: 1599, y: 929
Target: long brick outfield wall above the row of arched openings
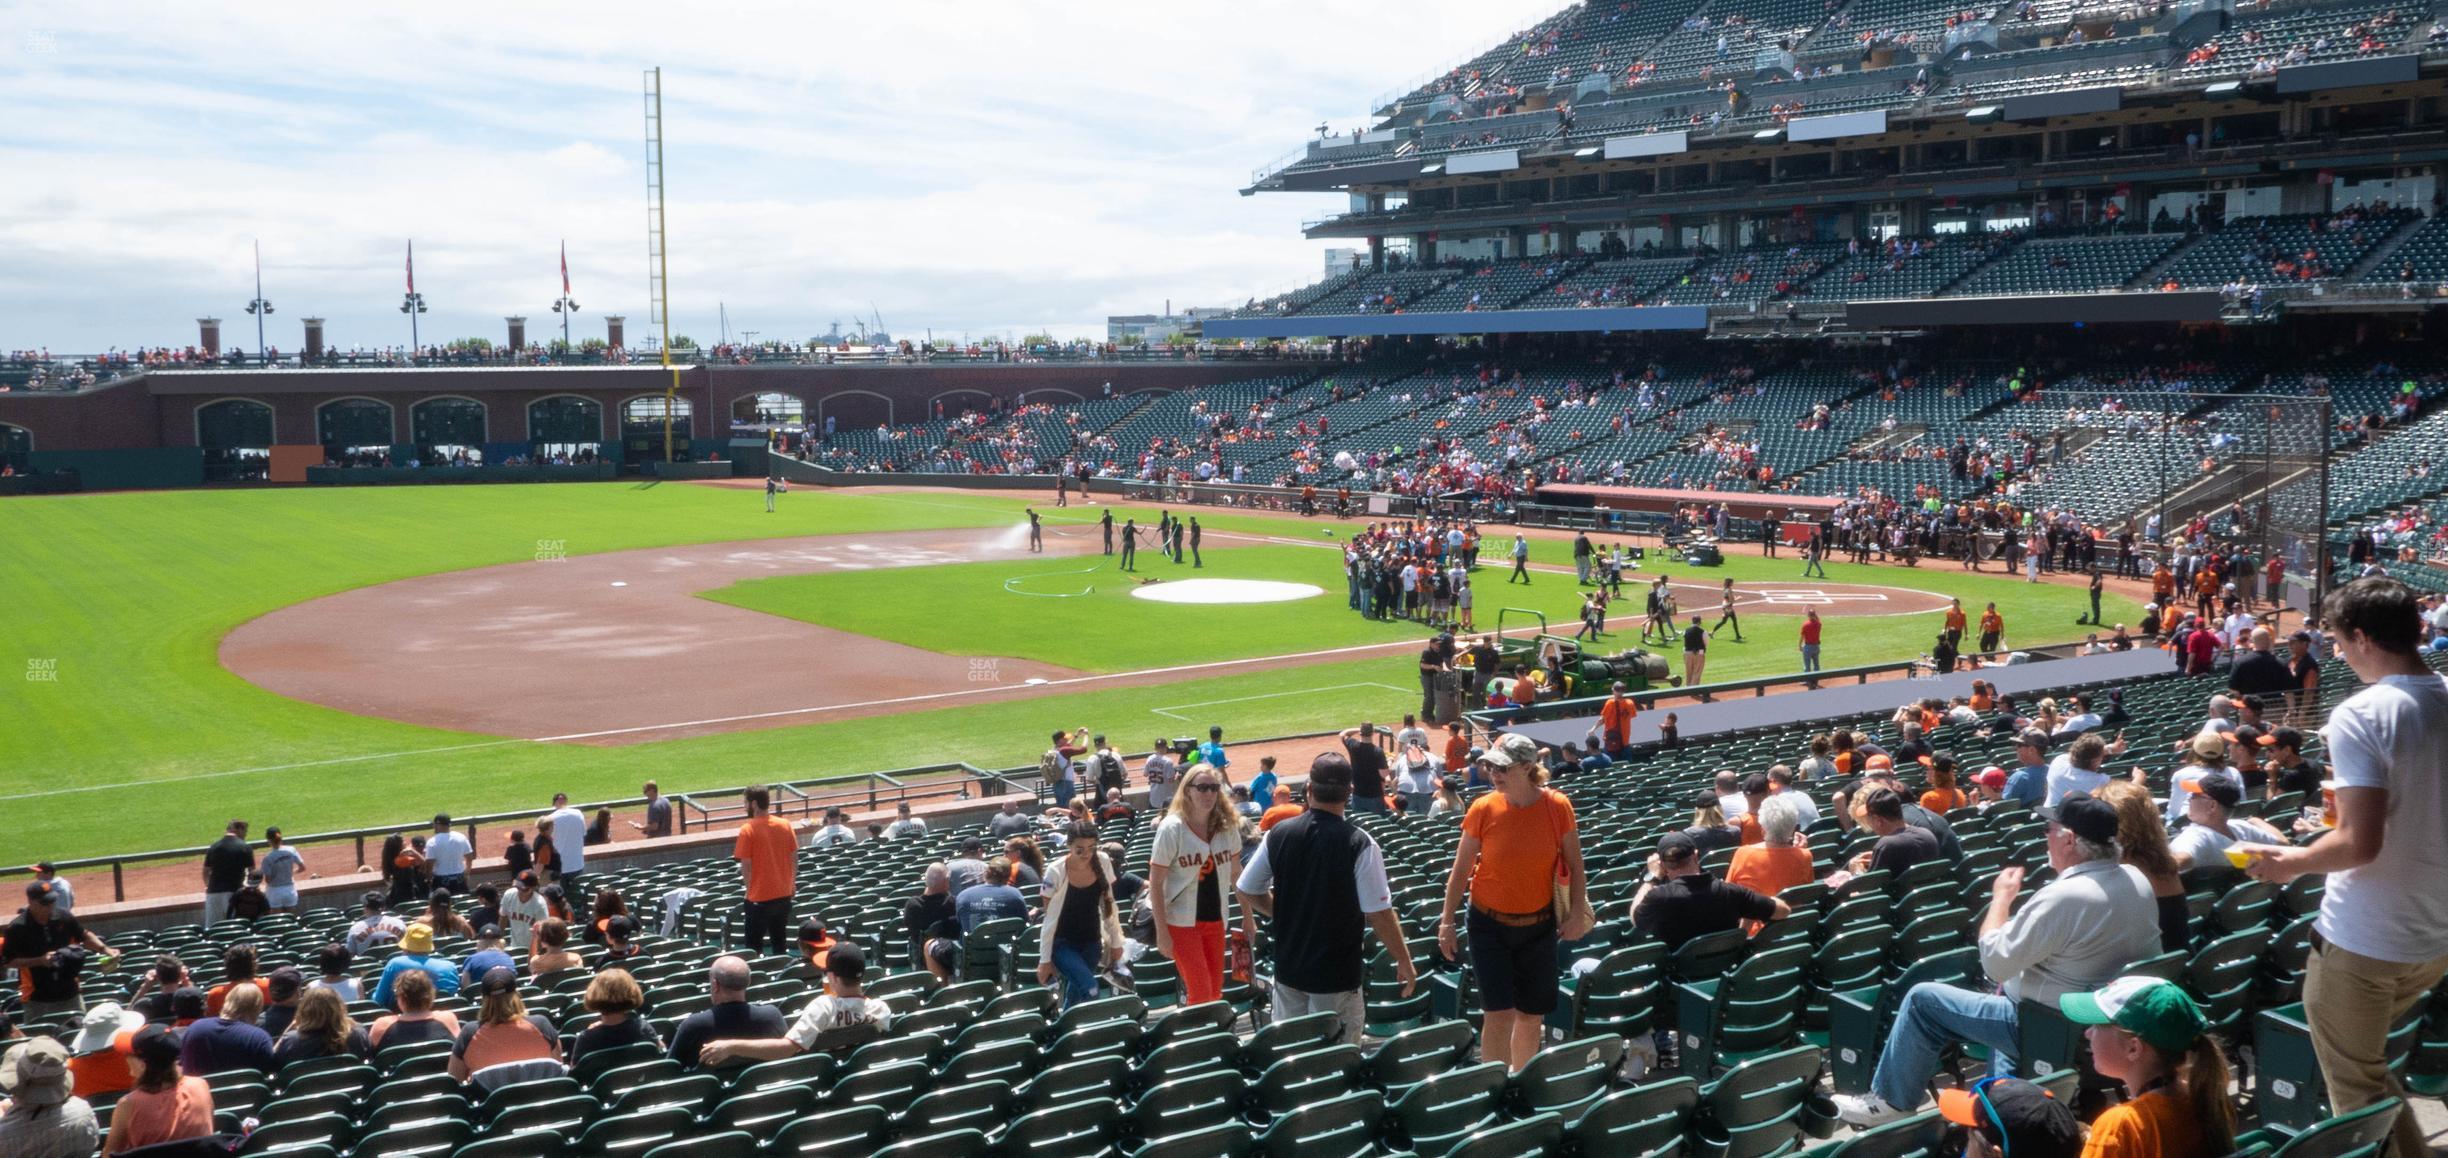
x: 160, y: 410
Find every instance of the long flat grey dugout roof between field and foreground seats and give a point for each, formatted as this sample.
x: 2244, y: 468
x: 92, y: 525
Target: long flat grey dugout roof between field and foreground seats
x: 1747, y: 714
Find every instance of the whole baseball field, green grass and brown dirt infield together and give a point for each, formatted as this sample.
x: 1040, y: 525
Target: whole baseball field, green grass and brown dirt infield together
x: 346, y: 657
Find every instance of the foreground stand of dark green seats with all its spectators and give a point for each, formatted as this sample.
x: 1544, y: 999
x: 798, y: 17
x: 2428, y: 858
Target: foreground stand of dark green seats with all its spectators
x: 1509, y: 873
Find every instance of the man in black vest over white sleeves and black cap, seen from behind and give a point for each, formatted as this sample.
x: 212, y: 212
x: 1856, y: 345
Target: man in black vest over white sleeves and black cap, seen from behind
x: 1318, y: 924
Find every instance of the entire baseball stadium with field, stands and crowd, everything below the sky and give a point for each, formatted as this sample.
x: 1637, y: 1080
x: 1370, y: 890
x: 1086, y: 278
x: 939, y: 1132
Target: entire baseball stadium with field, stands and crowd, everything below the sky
x: 1852, y: 579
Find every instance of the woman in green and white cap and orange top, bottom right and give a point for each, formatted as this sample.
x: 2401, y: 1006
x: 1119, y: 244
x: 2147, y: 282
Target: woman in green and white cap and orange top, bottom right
x: 2153, y: 1039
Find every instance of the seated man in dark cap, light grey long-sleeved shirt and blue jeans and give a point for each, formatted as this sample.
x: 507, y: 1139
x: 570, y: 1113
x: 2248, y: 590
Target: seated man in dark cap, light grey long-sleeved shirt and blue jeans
x: 2077, y: 932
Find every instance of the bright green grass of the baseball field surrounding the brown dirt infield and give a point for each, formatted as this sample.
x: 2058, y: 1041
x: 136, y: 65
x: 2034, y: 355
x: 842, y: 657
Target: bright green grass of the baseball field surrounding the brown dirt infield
x: 143, y: 741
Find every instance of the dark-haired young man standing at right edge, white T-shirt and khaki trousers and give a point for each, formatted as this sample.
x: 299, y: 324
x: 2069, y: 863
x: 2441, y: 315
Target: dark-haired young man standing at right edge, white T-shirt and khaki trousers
x: 2383, y: 929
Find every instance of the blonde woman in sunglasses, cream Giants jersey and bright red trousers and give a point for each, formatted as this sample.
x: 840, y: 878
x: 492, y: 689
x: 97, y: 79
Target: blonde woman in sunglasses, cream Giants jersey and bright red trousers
x: 1191, y: 870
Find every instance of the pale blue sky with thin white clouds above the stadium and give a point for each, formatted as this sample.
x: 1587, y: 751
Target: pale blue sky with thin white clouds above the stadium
x: 966, y: 168
